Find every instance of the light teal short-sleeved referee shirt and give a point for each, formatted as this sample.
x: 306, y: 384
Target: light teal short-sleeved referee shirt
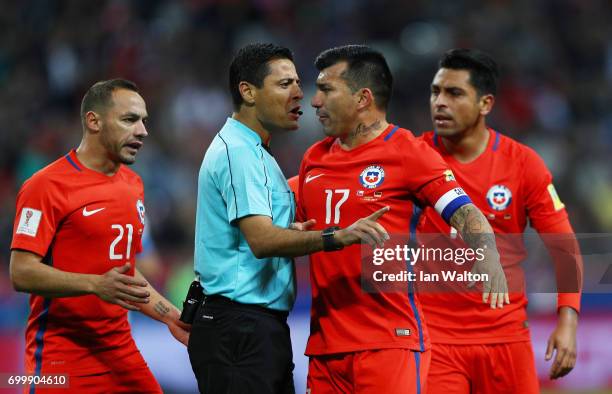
x: 239, y: 178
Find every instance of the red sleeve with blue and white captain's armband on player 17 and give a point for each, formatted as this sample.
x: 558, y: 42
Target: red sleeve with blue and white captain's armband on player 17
x: 431, y: 180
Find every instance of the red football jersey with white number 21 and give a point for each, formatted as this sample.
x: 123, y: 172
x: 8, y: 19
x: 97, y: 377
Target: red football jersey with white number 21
x: 86, y: 222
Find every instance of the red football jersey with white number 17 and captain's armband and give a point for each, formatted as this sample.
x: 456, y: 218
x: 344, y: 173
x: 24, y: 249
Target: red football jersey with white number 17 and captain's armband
x: 338, y: 187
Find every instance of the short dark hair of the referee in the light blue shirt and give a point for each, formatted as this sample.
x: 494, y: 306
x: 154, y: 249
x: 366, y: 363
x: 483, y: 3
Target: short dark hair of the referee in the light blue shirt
x: 251, y: 65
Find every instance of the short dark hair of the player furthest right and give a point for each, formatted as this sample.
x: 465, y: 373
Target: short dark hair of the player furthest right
x: 483, y: 70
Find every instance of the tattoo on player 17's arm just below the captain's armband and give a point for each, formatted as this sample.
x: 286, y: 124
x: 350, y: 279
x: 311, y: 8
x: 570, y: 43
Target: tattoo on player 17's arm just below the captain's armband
x: 473, y: 227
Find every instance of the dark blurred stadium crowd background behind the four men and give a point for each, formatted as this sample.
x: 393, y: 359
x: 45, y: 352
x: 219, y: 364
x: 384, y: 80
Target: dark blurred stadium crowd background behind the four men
x: 555, y: 95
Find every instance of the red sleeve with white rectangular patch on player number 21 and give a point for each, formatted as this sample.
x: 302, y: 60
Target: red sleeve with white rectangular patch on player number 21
x: 39, y: 212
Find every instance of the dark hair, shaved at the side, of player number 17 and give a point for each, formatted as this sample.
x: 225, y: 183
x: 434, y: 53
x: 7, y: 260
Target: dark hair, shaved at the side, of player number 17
x: 366, y: 68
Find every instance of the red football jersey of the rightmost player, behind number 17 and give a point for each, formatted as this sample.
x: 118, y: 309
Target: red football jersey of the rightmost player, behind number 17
x: 510, y: 184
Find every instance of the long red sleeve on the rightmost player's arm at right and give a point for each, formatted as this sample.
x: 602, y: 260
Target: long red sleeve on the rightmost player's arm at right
x: 548, y: 216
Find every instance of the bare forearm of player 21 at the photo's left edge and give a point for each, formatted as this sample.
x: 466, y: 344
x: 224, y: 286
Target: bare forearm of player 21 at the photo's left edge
x: 29, y: 274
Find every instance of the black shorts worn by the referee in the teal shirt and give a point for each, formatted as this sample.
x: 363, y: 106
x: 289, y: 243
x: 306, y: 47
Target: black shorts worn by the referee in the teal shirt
x: 241, y: 349
